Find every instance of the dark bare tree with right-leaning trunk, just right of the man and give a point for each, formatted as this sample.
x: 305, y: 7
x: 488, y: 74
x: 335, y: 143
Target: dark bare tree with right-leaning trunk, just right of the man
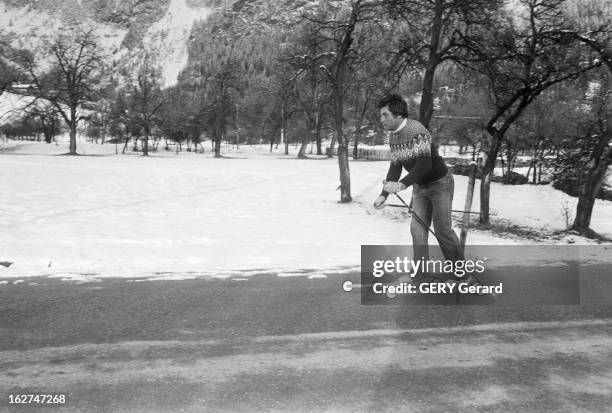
x: 521, y: 60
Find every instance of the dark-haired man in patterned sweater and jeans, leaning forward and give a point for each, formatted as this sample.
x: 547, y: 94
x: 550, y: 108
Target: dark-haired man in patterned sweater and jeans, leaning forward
x: 433, y: 186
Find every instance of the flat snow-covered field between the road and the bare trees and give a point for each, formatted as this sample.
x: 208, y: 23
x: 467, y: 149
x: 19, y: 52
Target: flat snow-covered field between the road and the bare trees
x: 190, y: 215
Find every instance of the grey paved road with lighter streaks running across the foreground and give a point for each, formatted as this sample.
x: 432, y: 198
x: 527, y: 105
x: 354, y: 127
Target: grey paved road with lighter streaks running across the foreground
x: 271, y: 344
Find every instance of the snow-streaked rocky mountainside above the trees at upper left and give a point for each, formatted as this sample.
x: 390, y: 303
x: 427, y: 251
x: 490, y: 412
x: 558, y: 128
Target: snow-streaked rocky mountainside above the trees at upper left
x: 126, y: 29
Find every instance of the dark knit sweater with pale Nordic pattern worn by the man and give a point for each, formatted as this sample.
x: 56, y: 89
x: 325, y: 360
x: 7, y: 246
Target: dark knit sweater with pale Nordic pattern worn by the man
x: 412, y: 149
